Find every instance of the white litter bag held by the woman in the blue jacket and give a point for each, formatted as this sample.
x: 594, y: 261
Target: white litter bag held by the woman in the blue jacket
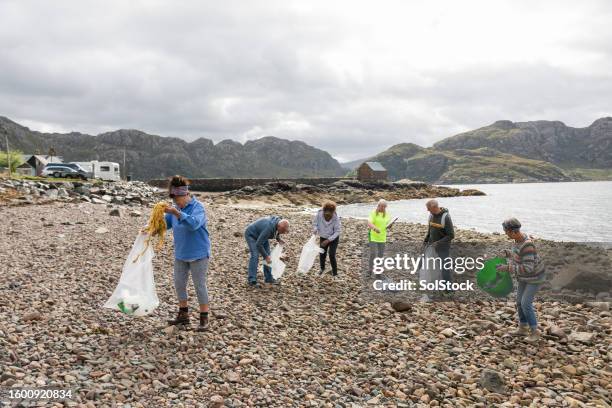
x: 135, y: 294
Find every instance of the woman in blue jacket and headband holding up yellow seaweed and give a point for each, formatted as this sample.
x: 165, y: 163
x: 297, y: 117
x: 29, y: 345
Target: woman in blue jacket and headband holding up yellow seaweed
x: 187, y: 219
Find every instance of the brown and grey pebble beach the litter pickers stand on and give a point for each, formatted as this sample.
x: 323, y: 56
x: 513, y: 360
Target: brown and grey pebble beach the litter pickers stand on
x: 312, y: 341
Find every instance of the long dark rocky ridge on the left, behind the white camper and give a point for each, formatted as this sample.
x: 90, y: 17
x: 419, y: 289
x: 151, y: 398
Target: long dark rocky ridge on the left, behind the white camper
x: 149, y: 156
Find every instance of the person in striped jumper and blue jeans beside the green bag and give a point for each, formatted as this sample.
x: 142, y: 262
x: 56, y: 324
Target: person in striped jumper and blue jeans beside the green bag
x: 526, y: 265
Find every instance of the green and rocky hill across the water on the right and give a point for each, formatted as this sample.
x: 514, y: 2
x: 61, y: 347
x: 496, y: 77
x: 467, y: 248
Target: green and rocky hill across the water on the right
x: 508, y: 152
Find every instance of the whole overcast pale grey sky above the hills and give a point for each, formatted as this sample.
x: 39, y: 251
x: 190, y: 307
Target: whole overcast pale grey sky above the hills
x: 350, y: 77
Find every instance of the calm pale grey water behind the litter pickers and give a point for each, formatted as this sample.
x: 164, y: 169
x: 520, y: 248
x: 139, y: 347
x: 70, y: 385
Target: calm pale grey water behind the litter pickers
x: 556, y: 211
